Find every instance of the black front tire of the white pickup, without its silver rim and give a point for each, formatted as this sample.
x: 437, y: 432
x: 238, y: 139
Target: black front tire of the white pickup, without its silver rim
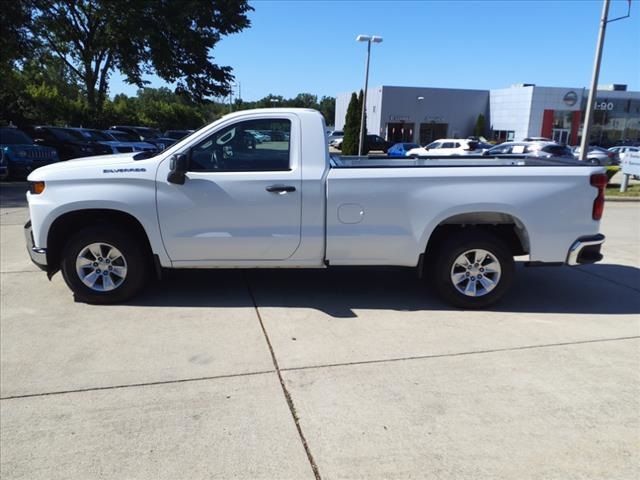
x: 133, y: 252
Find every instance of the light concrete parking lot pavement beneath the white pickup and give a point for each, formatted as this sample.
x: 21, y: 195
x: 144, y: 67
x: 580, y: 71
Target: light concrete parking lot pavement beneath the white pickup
x: 342, y: 373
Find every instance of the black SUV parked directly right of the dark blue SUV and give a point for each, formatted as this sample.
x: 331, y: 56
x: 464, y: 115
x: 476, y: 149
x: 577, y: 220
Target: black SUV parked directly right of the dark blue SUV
x: 68, y: 142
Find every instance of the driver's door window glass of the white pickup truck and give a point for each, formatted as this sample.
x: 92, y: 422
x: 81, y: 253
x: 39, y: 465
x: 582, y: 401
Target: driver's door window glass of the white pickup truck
x: 252, y: 145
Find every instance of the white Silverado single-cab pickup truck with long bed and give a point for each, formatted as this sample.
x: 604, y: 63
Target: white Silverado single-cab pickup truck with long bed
x: 221, y: 199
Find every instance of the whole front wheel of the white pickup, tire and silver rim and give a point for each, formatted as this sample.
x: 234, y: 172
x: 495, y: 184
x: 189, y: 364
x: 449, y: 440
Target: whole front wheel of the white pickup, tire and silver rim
x: 103, y: 265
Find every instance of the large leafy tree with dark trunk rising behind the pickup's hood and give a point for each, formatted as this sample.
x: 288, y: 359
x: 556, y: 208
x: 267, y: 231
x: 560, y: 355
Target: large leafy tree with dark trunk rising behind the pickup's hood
x: 172, y: 39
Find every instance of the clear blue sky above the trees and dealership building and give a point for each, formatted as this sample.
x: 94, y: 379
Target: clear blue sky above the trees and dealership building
x: 309, y: 46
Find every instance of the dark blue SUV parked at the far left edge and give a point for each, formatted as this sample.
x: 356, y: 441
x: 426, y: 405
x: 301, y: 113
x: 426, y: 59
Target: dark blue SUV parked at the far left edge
x: 21, y: 155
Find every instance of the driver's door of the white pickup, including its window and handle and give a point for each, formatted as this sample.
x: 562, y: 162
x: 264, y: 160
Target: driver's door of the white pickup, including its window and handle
x: 242, y: 196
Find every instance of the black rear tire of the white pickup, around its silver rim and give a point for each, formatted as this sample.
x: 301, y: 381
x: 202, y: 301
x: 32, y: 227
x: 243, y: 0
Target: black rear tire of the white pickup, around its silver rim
x: 441, y: 268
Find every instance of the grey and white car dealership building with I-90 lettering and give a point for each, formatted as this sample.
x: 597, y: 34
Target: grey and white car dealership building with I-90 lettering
x: 421, y: 115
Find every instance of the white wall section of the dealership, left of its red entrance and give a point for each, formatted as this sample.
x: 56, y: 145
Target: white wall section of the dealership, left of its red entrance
x: 510, y: 109
